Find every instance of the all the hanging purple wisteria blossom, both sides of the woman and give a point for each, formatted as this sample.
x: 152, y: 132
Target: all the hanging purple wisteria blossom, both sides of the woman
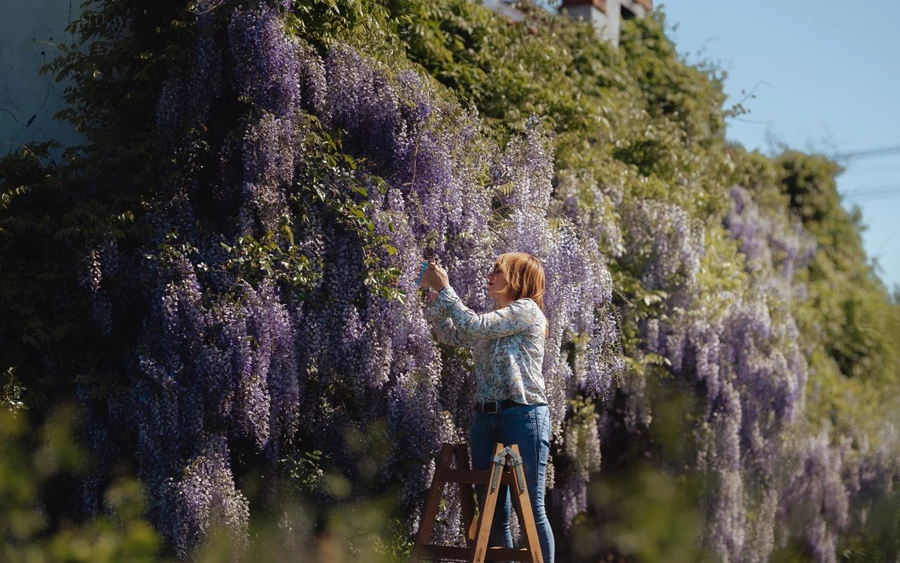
x: 270, y: 307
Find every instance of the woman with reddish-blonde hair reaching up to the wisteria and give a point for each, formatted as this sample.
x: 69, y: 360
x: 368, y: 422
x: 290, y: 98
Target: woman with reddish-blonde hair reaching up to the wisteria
x: 508, y: 350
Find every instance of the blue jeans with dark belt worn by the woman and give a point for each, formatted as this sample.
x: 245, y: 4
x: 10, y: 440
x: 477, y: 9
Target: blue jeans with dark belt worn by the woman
x: 528, y: 426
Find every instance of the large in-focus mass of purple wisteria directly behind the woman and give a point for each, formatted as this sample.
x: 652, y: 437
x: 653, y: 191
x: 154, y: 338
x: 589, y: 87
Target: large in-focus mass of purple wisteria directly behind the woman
x: 273, y: 299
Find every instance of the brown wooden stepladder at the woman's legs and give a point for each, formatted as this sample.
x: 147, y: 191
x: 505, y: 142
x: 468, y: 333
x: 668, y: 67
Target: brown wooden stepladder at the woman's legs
x: 506, y: 469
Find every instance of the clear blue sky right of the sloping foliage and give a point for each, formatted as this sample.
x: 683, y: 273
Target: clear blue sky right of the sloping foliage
x: 826, y: 76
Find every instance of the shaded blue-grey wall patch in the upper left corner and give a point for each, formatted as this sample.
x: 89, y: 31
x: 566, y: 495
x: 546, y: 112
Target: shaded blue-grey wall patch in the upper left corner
x: 30, y: 31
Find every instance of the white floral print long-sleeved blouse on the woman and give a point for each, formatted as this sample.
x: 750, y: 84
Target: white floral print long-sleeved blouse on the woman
x: 507, y: 346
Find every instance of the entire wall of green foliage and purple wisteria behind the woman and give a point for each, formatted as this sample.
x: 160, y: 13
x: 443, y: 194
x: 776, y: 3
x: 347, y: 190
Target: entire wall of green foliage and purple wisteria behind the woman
x: 222, y: 279
